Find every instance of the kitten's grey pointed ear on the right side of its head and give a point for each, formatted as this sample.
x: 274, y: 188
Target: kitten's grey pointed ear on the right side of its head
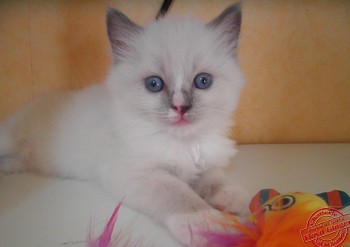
x: 229, y: 24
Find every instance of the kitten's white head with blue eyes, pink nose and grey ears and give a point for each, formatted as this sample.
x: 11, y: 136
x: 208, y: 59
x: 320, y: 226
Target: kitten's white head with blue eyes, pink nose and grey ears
x: 179, y: 75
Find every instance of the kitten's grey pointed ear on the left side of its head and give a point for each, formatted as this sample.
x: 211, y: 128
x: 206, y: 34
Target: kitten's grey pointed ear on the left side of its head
x: 121, y: 31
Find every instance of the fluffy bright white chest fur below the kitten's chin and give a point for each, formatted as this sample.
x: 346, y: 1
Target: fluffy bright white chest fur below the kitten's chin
x: 186, y: 159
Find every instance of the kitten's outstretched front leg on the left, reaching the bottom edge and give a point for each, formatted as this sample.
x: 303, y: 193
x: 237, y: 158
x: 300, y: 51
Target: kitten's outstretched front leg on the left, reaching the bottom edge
x: 167, y: 199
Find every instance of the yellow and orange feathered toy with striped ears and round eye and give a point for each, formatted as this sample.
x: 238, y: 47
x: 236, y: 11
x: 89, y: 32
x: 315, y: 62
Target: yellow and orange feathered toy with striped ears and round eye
x: 288, y: 220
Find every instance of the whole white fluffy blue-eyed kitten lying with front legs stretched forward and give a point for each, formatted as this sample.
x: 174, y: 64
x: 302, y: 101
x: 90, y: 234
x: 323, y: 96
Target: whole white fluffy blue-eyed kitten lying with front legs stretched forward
x: 155, y: 131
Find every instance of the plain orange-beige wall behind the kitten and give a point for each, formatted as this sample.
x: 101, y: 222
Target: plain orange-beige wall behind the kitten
x: 295, y: 55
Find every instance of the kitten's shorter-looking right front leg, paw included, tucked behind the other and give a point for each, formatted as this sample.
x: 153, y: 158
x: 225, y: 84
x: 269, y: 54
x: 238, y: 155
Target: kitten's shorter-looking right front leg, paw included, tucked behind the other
x: 222, y: 193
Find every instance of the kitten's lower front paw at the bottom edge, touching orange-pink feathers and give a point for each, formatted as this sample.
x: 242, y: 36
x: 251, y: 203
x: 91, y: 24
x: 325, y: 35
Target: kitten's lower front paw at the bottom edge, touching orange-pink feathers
x: 189, y: 229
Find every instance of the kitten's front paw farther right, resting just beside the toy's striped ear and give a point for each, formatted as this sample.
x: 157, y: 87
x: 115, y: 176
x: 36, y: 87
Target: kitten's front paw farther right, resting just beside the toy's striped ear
x: 231, y: 199
